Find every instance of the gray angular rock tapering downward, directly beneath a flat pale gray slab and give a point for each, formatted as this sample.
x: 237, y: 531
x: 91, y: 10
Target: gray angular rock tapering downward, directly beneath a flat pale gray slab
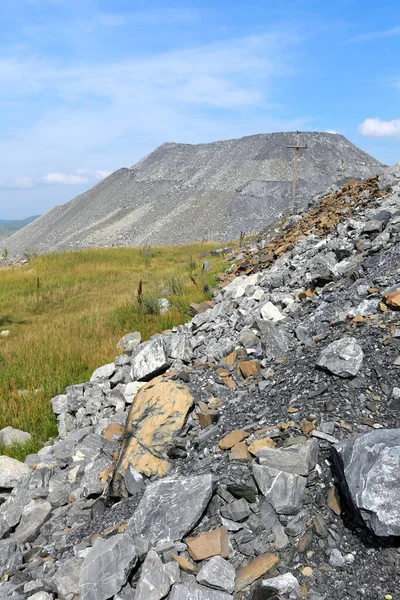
x: 285, y: 491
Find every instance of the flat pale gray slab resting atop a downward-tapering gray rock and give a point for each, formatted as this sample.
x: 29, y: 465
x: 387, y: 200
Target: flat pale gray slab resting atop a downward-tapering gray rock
x: 299, y: 459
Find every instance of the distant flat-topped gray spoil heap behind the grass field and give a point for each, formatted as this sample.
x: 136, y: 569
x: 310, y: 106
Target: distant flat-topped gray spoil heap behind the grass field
x: 183, y: 193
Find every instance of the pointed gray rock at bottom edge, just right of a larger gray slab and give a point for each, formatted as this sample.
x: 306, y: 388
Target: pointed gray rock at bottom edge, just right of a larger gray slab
x: 155, y: 579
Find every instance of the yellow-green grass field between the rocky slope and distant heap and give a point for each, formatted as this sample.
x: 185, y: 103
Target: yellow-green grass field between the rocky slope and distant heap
x: 61, y: 331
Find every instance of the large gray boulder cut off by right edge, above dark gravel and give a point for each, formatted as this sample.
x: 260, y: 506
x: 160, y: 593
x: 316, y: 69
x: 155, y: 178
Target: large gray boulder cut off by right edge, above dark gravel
x: 368, y: 470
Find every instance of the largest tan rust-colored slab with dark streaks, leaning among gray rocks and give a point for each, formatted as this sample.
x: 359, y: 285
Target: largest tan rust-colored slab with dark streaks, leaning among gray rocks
x: 157, y: 414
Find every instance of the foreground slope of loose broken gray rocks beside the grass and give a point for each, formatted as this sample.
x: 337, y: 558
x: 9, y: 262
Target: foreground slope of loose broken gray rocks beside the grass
x: 249, y: 454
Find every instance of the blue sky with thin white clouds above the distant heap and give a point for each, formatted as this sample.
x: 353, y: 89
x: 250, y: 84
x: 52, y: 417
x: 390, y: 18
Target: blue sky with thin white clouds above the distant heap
x: 89, y: 86
